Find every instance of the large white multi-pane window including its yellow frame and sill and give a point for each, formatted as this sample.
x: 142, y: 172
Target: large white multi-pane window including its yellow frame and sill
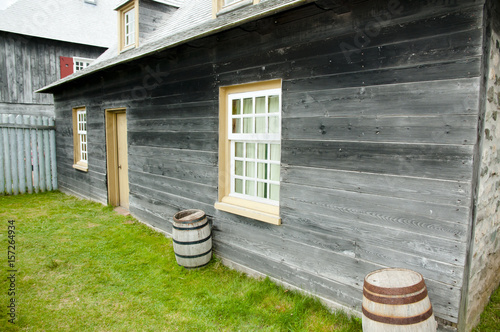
x: 250, y: 150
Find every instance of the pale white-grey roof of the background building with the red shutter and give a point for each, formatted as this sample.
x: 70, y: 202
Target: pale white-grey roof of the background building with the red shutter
x: 71, y: 20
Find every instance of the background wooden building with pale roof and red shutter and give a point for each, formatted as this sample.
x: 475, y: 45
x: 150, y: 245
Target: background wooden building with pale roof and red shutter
x: 41, y: 39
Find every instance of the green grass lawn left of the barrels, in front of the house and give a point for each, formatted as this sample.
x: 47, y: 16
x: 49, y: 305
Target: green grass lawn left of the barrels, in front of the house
x: 81, y: 267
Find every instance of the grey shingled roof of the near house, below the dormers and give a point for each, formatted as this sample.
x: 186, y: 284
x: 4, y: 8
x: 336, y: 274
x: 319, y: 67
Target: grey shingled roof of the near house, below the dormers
x: 191, y: 21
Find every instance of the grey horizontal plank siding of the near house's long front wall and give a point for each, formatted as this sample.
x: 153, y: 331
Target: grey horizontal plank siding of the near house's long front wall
x: 377, y: 141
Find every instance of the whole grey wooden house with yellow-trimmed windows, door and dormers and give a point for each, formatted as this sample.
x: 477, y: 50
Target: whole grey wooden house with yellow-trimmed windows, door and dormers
x: 325, y: 139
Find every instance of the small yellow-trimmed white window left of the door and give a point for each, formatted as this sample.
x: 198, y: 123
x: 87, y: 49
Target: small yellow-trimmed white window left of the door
x: 80, y: 150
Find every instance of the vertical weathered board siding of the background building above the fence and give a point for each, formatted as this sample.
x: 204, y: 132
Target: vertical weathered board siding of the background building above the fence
x: 30, y: 63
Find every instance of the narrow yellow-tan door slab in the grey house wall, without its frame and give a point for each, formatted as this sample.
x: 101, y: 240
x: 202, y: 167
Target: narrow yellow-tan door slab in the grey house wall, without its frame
x: 122, y: 158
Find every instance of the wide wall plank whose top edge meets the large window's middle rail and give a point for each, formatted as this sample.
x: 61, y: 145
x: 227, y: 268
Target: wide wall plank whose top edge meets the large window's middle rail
x: 447, y: 162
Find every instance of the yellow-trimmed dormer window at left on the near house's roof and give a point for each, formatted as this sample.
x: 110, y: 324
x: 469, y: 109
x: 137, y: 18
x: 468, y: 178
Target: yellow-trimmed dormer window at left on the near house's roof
x: 128, y: 24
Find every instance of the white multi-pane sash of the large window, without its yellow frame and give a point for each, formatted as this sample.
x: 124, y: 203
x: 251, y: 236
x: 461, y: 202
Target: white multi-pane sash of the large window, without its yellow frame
x: 255, y: 140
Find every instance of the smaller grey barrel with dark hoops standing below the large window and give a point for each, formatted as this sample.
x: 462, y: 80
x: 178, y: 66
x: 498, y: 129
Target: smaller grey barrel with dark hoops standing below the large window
x: 192, y: 238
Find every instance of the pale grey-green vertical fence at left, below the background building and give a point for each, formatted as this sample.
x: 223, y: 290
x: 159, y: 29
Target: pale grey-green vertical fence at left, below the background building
x: 27, y: 154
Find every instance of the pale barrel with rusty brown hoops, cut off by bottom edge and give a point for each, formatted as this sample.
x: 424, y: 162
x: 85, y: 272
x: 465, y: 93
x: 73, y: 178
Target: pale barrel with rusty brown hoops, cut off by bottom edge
x: 396, y: 300
